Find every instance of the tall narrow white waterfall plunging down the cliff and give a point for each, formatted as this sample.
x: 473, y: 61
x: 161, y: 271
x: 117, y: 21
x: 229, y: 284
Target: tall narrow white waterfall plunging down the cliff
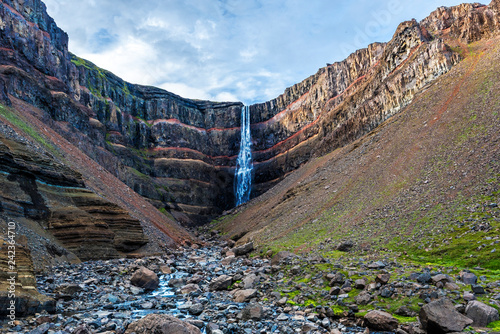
x: 244, y: 166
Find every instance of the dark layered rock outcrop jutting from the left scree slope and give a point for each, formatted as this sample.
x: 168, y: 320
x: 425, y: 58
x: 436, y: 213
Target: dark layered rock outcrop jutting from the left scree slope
x: 35, y: 187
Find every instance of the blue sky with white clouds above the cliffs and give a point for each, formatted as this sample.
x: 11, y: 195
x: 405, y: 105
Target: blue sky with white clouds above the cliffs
x: 227, y: 50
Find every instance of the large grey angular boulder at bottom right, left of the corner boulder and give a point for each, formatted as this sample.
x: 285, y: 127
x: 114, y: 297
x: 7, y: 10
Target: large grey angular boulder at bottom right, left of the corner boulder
x: 440, y: 316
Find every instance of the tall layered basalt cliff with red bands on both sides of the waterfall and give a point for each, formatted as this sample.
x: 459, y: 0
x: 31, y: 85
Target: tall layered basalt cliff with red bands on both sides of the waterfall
x: 181, y: 153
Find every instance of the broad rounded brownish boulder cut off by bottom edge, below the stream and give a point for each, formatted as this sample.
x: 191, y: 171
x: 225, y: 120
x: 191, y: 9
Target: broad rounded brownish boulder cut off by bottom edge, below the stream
x: 161, y: 324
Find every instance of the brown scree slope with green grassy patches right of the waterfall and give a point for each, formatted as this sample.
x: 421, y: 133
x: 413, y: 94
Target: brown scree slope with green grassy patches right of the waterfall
x: 419, y: 184
